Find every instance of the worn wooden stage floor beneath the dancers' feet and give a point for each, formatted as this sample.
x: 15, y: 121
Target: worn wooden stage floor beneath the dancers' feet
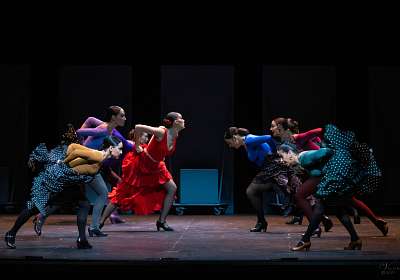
x: 198, y: 238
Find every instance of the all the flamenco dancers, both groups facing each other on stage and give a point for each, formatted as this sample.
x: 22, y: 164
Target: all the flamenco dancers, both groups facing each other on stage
x: 320, y: 167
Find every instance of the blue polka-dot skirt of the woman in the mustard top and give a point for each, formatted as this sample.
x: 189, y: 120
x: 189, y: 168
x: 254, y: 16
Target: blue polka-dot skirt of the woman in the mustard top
x: 53, y: 177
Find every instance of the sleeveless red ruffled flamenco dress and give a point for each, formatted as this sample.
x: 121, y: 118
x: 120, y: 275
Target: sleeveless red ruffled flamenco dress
x: 143, y: 175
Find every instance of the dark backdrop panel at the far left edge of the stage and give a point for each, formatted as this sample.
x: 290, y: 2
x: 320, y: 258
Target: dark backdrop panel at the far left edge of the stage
x: 15, y: 91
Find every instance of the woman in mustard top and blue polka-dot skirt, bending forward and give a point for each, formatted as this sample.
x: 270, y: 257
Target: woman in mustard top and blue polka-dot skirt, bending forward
x: 66, y: 164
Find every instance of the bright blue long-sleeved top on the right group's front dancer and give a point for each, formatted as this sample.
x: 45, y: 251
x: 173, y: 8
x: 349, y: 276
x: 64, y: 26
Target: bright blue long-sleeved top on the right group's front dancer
x: 258, y: 147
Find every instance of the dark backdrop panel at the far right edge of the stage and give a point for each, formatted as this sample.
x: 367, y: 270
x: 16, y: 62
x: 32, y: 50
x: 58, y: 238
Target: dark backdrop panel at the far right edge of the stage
x: 383, y: 121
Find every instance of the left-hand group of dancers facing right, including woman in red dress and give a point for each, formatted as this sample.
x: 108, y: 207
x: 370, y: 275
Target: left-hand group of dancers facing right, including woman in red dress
x: 81, y: 160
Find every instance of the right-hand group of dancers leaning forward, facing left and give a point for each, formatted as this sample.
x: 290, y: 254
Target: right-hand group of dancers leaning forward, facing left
x: 324, y: 166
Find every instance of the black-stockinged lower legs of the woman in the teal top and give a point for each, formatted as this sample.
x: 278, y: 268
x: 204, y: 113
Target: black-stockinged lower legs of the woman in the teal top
x: 341, y: 214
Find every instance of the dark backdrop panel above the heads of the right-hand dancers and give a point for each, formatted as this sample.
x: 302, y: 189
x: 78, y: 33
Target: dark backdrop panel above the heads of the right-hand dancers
x: 305, y: 93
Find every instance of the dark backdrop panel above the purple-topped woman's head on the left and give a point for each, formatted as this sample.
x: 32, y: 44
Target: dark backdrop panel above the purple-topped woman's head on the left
x: 85, y: 91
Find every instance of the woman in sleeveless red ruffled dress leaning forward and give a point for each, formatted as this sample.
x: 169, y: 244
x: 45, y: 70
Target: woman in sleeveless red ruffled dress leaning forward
x: 147, y: 185
